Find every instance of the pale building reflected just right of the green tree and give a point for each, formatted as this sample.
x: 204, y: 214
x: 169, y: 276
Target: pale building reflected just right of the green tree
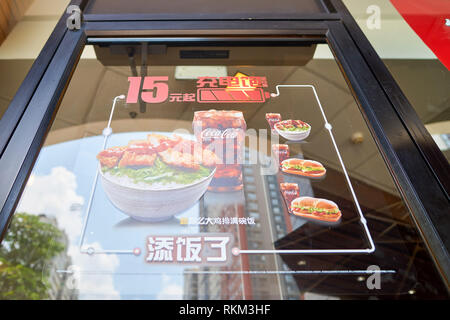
x: 58, y: 288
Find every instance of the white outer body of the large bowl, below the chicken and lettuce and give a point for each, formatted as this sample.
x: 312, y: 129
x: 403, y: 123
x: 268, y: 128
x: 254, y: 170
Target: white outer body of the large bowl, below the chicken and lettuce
x: 153, y: 205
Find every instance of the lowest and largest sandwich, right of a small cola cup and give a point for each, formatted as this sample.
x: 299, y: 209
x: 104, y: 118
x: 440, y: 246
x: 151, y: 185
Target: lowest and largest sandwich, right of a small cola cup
x: 314, y: 208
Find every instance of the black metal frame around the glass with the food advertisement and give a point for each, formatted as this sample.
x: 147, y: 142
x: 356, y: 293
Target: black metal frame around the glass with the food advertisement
x: 417, y: 165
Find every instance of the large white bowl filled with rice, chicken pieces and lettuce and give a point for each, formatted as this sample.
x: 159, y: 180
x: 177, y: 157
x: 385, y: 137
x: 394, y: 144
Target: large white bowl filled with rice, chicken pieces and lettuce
x: 157, y: 178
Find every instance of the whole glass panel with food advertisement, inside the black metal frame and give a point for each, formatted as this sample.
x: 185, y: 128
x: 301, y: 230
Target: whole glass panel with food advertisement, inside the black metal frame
x: 162, y: 177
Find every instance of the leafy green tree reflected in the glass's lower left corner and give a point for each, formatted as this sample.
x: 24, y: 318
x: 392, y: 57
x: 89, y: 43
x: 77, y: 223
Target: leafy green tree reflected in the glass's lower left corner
x: 29, y: 245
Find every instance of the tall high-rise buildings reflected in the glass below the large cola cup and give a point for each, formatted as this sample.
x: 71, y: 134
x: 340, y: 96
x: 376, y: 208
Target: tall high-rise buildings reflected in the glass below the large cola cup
x: 259, y: 198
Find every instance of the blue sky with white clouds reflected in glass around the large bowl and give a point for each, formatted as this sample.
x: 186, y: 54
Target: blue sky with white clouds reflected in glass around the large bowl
x: 108, y: 228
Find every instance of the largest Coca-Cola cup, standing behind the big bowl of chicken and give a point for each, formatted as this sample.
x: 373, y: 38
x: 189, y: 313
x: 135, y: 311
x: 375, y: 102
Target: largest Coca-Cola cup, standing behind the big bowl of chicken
x: 223, y: 132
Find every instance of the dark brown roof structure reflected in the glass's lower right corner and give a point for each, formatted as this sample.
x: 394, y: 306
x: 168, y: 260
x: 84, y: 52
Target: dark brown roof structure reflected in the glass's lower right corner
x: 398, y: 249
